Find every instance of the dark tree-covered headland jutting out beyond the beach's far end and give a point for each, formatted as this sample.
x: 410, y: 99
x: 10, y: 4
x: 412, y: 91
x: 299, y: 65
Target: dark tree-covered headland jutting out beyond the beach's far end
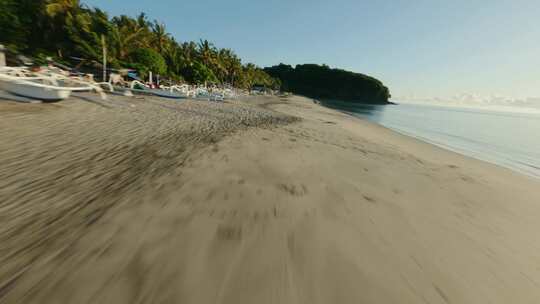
x: 321, y: 81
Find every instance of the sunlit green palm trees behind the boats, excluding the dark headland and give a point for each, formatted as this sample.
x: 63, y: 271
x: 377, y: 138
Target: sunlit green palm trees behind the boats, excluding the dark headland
x: 68, y: 29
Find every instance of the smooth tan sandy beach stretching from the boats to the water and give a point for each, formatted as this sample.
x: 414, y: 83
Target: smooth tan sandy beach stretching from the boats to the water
x: 154, y: 201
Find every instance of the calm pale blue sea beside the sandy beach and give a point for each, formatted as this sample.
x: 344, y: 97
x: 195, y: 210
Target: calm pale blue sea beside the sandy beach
x: 505, y: 137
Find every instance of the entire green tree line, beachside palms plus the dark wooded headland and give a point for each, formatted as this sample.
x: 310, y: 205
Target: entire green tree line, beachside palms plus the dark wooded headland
x: 68, y: 30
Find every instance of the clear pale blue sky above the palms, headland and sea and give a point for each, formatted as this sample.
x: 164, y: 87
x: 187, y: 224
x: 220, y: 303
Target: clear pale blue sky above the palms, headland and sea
x: 426, y: 48
